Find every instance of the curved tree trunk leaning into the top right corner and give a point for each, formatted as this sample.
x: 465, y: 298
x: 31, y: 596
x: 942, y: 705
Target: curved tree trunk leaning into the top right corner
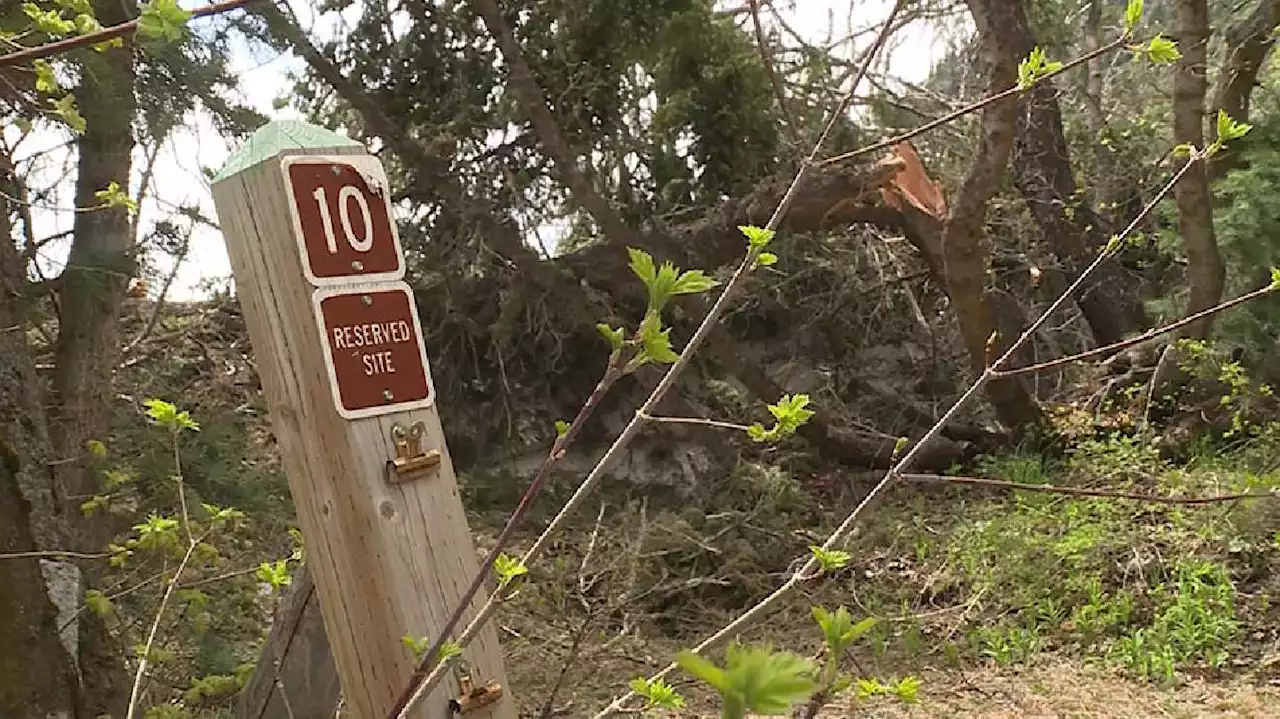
x: 1247, y: 47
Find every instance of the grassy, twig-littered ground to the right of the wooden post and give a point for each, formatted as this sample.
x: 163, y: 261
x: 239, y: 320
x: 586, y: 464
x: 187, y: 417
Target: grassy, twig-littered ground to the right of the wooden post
x: 1118, y: 599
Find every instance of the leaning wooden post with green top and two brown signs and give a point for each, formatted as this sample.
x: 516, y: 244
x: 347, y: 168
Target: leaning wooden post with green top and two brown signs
x: 318, y: 268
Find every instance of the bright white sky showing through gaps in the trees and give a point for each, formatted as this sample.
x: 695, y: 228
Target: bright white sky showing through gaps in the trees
x: 180, y: 180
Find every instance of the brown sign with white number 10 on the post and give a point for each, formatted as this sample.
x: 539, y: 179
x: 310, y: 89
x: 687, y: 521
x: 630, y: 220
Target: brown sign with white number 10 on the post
x: 342, y: 219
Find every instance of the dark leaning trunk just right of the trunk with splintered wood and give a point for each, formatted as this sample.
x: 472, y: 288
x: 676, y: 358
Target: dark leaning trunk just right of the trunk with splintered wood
x: 1044, y: 175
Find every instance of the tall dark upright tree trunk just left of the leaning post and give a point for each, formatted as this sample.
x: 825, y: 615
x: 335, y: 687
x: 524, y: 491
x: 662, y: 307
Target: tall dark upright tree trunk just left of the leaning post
x: 92, y: 290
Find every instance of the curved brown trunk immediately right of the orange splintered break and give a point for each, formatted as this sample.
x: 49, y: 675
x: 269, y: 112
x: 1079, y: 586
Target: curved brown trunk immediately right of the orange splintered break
x: 963, y: 233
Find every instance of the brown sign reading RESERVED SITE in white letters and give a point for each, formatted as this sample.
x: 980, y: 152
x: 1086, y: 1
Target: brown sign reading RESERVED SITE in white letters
x: 374, y: 350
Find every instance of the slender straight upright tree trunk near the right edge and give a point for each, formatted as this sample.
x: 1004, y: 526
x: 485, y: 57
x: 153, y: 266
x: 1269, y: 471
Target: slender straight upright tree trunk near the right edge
x: 1205, y: 271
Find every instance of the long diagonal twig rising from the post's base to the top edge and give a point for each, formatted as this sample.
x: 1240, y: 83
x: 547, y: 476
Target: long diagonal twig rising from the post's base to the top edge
x: 665, y: 384
